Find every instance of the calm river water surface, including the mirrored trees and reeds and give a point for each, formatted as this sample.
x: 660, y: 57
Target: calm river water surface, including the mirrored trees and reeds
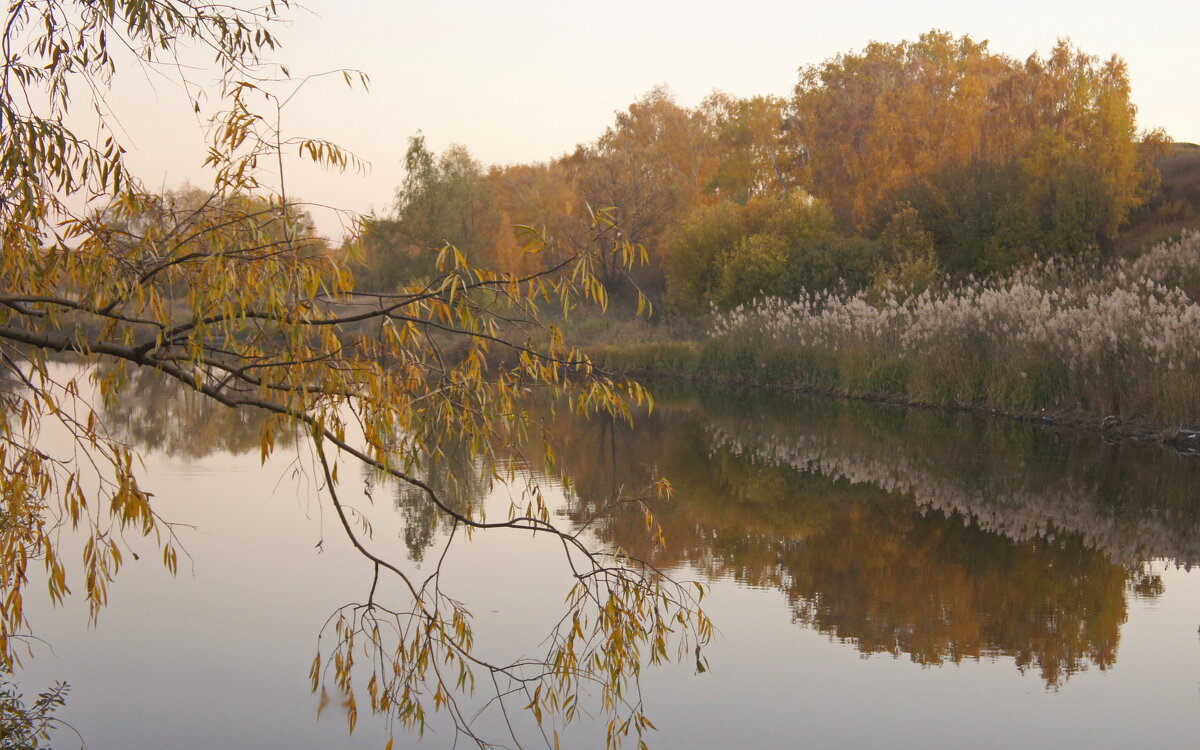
x: 880, y: 579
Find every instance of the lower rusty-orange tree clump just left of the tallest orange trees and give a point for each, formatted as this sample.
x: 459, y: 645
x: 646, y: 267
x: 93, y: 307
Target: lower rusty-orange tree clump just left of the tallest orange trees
x: 653, y: 167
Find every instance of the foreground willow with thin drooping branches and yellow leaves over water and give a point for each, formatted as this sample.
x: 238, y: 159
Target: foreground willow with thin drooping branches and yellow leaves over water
x: 230, y: 303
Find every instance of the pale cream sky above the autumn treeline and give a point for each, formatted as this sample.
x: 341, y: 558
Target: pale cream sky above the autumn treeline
x: 529, y: 80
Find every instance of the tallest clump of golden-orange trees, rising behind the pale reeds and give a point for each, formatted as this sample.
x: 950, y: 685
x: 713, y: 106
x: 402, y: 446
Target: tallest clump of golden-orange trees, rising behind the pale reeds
x: 1029, y: 158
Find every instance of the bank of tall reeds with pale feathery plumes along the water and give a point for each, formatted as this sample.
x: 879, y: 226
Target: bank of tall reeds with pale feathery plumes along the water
x: 1120, y: 341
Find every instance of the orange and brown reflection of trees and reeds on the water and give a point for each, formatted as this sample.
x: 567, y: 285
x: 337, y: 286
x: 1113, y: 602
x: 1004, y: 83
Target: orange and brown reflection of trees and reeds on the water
x: 938, y: 537
